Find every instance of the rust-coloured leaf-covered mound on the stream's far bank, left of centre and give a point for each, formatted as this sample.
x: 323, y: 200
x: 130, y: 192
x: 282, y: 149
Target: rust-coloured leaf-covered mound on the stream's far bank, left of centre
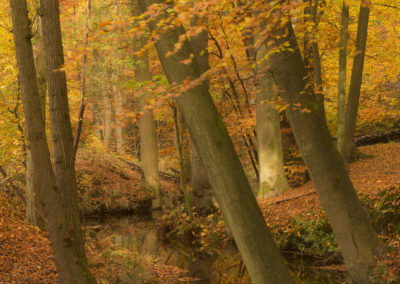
x: 110, y: 183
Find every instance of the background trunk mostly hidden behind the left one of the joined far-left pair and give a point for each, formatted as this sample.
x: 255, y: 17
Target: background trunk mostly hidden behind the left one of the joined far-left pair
x: 32, y: 196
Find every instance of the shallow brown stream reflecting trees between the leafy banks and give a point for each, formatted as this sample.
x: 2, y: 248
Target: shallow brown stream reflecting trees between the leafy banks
x: 138, y: 234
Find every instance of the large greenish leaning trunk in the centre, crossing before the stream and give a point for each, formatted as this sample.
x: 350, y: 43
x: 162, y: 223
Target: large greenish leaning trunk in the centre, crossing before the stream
x: 224, y: 170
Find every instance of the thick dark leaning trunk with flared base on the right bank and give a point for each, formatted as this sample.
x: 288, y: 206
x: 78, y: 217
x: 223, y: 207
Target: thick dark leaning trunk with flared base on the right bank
x: 349, y: 220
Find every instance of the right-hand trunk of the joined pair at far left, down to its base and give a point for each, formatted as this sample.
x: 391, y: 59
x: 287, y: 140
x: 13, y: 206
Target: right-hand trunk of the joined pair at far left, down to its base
x: 64, y: 156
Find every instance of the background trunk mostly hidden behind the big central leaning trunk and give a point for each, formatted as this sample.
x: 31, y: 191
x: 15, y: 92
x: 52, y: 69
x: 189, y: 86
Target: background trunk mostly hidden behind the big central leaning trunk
x: 201, y: 192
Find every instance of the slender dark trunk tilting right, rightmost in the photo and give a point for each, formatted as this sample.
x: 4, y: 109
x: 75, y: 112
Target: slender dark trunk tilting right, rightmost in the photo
x: 356, y: 80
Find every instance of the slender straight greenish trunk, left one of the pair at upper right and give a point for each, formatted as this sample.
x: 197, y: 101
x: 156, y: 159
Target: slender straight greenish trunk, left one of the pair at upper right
x: 341, y: 112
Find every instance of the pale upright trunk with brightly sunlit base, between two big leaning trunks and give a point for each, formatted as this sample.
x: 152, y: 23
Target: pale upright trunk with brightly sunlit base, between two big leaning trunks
x: 269, y: 144
